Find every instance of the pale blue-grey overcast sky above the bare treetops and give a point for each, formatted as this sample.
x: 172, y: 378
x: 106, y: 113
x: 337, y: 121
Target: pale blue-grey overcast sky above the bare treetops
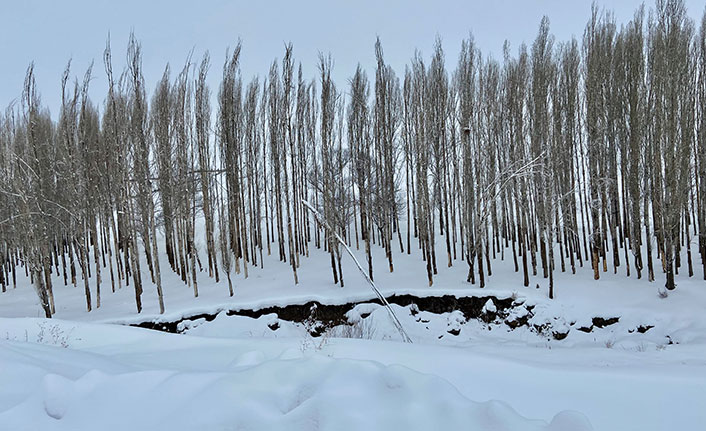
x: 52, y: 32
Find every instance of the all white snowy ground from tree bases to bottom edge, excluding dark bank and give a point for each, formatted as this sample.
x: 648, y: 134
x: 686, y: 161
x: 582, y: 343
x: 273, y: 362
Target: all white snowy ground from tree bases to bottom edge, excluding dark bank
x: 86, y: 371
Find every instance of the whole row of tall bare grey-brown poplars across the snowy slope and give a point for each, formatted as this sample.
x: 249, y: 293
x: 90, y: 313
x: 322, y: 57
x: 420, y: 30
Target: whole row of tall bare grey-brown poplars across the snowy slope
x: 560, y: 155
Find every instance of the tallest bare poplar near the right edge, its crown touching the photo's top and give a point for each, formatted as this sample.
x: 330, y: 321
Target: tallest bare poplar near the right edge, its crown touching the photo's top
x: 670, y: 74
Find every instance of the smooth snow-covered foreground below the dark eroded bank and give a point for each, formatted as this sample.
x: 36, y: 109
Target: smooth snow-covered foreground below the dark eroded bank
x: 70, y: 375
